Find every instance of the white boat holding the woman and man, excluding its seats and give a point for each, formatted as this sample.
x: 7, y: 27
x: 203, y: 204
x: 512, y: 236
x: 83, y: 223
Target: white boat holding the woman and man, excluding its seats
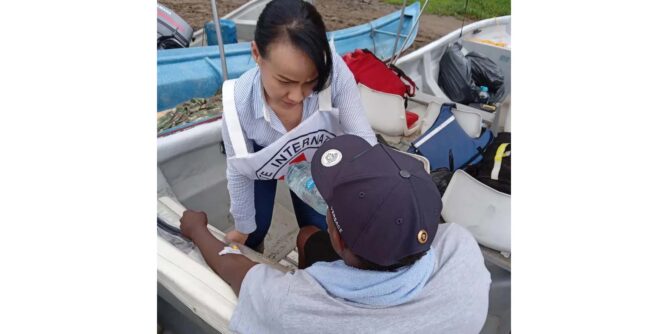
x: 191, y: 173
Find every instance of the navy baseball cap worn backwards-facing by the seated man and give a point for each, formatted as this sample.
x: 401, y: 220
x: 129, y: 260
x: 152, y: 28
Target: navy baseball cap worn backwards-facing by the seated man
x: 384, y: 204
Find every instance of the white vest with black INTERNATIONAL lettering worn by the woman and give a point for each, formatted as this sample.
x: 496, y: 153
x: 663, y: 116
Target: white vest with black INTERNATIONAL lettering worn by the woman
x: 272, y: 161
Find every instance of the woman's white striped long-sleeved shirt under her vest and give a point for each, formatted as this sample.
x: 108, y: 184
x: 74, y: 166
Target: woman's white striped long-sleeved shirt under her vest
x: 249, y: 100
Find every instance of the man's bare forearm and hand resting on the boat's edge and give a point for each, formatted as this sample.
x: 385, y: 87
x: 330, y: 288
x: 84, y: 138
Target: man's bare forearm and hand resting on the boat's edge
x: 232, y: 268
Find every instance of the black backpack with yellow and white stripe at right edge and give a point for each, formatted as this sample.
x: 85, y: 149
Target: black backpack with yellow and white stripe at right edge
x: 494, y: 169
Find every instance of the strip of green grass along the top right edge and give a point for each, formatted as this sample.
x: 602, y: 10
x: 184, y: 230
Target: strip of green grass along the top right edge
x: 477, y: 9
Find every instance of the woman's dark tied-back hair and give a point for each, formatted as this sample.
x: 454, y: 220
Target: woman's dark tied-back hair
x: 302, y: 25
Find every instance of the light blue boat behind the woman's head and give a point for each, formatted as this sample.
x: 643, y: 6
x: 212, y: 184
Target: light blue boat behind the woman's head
x: 188, y: 73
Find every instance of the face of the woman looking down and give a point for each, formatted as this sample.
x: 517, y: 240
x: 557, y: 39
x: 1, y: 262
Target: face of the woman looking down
x: 288, y: 74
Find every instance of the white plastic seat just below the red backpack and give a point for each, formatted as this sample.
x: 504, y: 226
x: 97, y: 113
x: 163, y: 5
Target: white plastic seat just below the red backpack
x: 387, y: 114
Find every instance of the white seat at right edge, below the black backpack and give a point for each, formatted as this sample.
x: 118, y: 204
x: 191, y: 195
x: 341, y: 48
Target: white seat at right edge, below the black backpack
x: 484, y: 211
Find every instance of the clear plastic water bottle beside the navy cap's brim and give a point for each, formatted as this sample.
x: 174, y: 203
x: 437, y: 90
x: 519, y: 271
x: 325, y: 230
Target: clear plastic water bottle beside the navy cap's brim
x: 301, y: 183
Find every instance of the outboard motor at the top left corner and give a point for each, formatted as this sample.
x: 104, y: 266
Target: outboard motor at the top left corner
x: 173, y: 31
